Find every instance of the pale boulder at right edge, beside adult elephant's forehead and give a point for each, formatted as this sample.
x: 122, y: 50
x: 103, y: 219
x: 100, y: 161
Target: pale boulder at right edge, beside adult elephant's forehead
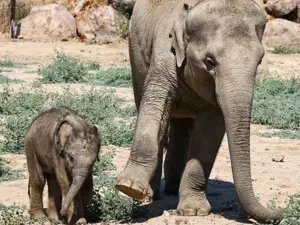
x: 280, y: 32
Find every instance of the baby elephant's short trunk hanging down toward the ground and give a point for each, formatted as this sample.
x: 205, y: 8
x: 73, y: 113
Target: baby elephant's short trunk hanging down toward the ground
x: 77, y: 182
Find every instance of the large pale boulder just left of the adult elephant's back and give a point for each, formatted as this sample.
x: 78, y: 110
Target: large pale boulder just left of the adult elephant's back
x: 102, y: 23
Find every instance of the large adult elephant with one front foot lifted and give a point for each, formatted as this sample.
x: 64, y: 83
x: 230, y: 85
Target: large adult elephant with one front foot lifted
x: 193, y: 64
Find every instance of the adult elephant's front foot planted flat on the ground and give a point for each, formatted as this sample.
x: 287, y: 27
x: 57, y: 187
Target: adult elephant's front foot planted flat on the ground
x: 193, y: 207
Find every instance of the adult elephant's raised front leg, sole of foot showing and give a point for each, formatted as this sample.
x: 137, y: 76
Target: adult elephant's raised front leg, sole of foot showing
x: 149, y: 139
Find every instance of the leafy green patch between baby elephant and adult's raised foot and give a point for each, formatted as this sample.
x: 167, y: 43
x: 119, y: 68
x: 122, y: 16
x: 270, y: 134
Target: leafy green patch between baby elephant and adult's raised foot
x: 107, y: 204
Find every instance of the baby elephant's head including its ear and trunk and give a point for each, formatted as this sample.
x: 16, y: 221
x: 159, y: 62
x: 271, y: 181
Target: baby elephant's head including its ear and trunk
x: 78, y: 143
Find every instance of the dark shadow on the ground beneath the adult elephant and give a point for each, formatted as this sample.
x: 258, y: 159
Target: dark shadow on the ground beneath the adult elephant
x: 221, y: 195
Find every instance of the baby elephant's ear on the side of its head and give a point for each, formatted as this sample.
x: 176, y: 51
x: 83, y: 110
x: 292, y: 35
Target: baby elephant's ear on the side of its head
x: 63, y: 132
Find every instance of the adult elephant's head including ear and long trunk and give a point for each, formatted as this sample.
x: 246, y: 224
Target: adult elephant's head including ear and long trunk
x: 218, y: 46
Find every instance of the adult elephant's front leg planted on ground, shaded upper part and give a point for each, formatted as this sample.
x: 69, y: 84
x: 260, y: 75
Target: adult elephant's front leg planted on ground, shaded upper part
x: 206, y: 139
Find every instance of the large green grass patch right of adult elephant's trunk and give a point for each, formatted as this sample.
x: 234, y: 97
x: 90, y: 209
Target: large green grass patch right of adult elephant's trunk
x: 276, y: 104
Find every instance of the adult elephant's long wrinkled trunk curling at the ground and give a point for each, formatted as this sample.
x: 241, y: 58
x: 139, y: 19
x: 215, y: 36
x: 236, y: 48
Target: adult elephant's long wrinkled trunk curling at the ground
x: 235, y: 94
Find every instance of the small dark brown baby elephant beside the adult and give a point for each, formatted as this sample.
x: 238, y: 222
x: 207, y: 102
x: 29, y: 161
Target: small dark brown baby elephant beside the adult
x: 61, y: 148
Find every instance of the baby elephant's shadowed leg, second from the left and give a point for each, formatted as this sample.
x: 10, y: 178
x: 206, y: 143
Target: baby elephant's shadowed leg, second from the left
x: 55, y: 198
